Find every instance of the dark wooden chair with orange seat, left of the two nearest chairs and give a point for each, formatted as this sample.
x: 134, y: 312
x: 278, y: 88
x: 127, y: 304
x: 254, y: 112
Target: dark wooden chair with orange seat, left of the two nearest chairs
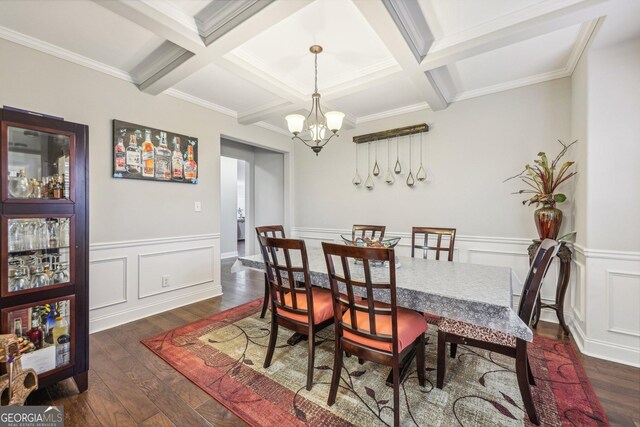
x: 304, y: 310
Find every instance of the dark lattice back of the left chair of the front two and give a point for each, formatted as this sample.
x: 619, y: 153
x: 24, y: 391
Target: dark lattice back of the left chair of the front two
x: 281, y: 275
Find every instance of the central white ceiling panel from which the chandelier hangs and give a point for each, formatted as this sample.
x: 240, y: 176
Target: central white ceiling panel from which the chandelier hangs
x: 351, y: 47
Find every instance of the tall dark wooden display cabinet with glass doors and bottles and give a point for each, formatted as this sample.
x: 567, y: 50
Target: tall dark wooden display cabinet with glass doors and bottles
x: 44, y: 237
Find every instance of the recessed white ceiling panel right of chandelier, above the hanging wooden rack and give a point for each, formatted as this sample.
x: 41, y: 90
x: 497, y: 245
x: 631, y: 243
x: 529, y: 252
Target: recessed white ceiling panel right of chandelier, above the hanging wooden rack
x: 396, y: 93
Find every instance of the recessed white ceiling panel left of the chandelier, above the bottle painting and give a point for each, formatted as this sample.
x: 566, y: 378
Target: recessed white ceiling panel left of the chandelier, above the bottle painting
x: 214, y: 84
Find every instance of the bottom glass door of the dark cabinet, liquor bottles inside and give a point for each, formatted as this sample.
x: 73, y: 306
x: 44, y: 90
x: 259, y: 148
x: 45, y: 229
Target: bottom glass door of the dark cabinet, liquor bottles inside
x: 45, y: 332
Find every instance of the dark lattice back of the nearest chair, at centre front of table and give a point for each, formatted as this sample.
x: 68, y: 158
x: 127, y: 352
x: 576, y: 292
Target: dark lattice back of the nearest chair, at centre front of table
x: 346, y: 300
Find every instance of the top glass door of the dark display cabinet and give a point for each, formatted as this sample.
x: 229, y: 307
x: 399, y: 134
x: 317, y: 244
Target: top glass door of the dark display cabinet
x: 38, y: 163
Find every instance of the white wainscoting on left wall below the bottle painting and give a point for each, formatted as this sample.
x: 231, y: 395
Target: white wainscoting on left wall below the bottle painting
x: 126, y: 278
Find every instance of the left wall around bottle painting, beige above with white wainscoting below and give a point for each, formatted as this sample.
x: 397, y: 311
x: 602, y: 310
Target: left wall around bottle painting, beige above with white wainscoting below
x: 138, y: 230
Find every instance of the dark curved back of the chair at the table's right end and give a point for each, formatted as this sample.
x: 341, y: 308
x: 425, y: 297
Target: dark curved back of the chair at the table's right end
x: 532, y: 284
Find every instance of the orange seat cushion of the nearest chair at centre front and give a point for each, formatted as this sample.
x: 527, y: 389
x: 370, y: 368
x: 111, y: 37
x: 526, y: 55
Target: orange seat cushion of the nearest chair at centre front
x: 410, y: 325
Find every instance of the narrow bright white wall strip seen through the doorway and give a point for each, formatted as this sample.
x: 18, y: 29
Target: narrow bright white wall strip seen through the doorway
x: 228, y: 207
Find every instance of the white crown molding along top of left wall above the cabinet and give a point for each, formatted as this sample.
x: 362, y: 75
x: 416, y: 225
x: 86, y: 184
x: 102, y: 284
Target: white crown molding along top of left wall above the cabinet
x: 67, y: 55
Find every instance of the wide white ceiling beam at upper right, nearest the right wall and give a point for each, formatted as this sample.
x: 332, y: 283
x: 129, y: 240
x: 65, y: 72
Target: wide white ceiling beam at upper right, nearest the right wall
x: 566, y: 13
